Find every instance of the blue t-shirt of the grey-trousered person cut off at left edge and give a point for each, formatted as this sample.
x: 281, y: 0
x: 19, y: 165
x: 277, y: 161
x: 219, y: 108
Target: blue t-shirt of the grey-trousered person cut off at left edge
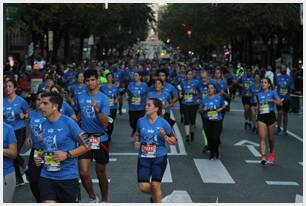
x: 8, y: 138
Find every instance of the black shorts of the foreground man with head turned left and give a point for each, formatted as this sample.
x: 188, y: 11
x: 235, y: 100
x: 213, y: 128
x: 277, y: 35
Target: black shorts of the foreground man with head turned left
x: 63, y: 191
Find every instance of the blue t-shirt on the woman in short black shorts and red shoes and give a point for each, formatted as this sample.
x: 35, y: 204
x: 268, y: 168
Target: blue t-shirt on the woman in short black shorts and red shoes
x: 264, y: 105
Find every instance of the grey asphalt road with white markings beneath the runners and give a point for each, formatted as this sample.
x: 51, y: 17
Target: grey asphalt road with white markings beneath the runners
x: 236, y: 178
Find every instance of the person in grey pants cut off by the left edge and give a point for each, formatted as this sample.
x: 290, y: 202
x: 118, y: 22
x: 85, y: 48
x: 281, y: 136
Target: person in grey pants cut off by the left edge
x: 9, y: 154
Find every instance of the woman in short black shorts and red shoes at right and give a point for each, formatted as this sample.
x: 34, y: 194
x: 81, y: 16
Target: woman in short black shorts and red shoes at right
x: 267, y: 99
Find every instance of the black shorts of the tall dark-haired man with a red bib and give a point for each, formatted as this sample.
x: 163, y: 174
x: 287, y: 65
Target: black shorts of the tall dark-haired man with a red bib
x: 100, y: 155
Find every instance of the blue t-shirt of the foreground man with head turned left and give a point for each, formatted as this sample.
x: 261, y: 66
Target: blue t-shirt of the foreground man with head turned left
x: 61, y: 135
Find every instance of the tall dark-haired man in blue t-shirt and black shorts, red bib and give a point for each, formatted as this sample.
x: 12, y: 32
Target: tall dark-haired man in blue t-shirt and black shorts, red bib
x: 94, y: 111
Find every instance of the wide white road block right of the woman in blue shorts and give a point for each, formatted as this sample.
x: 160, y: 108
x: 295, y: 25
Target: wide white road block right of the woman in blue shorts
x: 213, y: 171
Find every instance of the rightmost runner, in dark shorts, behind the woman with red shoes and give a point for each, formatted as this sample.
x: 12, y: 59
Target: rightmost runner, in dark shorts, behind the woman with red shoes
x: 284, y: 84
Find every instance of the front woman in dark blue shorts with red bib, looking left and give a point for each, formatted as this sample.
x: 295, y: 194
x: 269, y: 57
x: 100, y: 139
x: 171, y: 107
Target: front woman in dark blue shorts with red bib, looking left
x: 152, y: 134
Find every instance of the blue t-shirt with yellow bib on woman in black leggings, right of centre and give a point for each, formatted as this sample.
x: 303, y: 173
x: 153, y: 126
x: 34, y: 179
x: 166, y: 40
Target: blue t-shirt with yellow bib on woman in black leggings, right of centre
x: 213, y: 104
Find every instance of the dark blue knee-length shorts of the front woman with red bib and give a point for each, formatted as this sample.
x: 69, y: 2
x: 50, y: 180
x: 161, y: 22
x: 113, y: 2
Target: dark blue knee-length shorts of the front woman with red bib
x: 151, y: 167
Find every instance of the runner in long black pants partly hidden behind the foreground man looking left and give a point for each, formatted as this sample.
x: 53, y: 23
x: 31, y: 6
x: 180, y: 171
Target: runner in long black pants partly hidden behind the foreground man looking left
x: 35, y: 140
